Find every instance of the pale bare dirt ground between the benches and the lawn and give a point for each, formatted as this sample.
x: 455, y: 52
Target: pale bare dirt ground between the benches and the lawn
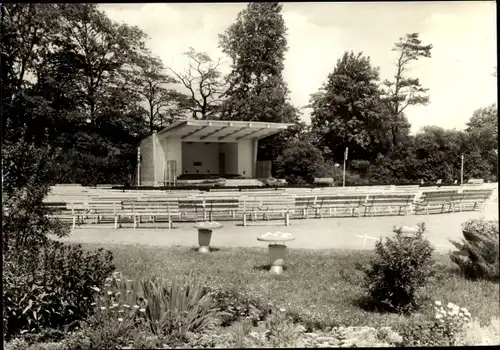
x: 342, y: 233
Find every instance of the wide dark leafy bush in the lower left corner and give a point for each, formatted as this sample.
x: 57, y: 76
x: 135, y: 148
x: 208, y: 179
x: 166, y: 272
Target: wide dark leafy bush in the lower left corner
x: 53, y: 288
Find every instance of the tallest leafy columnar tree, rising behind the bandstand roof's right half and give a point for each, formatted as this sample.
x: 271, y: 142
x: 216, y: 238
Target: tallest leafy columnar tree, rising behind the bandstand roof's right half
x: 256, y: 44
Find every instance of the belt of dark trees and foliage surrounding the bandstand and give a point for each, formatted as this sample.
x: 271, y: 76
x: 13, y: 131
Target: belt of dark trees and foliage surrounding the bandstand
x: 75, y: 80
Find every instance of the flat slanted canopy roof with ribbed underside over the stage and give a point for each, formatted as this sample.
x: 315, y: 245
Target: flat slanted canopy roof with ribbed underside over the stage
x: 221, y: 131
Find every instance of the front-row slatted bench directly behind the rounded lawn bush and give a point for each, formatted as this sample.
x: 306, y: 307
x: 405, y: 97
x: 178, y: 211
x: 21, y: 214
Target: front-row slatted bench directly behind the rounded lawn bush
x: 384, y: 203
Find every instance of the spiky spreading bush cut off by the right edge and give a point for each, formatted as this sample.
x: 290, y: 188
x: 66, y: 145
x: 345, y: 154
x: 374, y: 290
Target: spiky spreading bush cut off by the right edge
x: 478, y: 254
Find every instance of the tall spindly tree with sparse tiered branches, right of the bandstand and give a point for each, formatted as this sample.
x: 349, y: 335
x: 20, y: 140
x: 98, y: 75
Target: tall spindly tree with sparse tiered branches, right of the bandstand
x: 405, y: 91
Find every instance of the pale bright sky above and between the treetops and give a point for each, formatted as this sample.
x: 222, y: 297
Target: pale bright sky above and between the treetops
x: 458, y: 75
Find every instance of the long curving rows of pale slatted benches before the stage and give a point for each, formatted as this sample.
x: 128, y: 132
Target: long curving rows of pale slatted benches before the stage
x: 265, y: 205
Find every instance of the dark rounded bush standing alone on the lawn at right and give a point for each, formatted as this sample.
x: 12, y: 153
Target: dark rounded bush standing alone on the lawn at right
x: 400, y: 267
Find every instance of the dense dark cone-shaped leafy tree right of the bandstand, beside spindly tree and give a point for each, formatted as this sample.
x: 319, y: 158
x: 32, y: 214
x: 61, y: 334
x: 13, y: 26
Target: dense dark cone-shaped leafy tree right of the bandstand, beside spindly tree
x: 347, y: 110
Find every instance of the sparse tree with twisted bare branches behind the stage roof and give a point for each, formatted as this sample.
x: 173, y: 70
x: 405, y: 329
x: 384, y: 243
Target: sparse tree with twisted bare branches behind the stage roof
x: 204, y: 83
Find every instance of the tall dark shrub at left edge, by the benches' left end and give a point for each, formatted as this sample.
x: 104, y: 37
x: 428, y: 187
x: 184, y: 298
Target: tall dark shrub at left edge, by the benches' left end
x: 26, y: 174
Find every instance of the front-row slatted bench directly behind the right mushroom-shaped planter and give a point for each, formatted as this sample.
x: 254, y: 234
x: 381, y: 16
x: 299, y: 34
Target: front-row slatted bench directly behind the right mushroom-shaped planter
x: 279, y: 204
